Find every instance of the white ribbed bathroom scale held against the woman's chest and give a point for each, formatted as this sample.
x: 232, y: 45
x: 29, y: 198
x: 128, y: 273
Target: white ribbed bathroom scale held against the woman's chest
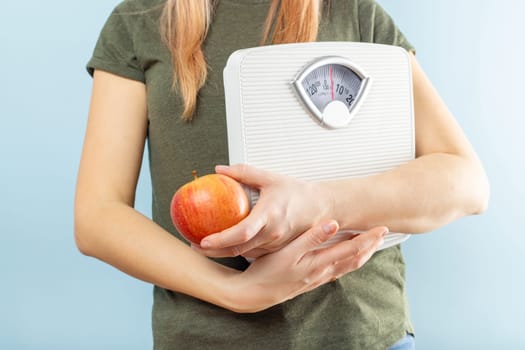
x: 321, y: 111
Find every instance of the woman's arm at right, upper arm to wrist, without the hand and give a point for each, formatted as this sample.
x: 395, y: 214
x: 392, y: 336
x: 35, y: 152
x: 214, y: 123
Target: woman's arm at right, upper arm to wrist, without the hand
x: 445, y: 182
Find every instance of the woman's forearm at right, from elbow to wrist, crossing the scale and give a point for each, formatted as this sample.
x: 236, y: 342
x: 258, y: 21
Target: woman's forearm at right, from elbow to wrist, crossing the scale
x: 417, y: 197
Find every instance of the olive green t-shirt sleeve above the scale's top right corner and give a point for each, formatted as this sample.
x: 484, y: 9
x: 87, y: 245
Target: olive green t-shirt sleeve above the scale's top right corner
x: 376, y: 26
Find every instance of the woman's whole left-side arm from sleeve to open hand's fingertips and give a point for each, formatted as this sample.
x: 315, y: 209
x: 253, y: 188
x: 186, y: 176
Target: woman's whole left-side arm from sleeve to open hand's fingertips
x: 108, y: 228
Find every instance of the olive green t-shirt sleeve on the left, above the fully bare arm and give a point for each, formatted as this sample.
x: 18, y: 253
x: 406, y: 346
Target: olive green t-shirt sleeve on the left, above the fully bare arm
x: 114, y: 51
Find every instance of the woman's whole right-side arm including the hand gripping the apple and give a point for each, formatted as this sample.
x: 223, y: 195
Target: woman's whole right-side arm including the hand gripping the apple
x: 446, y: 181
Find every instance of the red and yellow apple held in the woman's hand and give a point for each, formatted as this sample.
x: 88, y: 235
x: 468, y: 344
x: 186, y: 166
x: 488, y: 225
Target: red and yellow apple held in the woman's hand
x: 208, y: 204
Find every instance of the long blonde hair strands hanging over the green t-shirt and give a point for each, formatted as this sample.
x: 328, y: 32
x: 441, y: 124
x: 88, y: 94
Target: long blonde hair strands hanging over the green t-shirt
x: 185, y: 24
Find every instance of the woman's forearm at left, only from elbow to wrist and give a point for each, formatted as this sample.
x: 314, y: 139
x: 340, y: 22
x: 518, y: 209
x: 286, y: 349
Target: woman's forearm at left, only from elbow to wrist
x: 122, y: 237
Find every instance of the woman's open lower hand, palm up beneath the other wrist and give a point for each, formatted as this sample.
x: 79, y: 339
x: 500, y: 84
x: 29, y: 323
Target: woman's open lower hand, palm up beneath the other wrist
x: 300, y: 267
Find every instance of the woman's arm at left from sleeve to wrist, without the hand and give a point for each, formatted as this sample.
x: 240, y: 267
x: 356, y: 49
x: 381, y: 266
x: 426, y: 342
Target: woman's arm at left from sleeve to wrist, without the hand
x: 106, y: 225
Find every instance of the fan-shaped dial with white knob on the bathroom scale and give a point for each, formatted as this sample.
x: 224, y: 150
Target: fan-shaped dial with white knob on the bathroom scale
x: 332, y: 88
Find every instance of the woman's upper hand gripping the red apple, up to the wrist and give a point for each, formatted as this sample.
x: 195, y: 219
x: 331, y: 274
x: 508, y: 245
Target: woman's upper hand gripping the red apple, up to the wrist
x: 286, y: 208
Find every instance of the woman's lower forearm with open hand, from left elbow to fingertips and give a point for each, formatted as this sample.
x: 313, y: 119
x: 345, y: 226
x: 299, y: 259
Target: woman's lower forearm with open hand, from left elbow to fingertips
x: 117, y: 234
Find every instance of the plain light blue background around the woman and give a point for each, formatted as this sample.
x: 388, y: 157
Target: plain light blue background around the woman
x: 465, y: 281
